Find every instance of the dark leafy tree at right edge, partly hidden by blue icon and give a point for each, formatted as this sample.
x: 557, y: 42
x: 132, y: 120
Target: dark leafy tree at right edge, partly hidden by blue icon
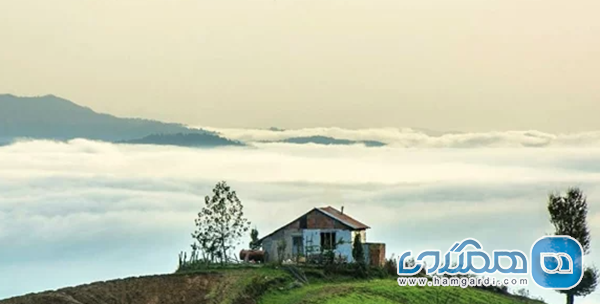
x: 568, y: 214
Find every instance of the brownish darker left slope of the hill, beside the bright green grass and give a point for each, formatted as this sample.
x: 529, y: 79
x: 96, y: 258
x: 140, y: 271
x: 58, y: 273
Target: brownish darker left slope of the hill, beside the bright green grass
x: 241, y: 286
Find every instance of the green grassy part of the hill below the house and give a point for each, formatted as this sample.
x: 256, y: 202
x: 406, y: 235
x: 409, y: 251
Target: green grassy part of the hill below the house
x: 267, y: 285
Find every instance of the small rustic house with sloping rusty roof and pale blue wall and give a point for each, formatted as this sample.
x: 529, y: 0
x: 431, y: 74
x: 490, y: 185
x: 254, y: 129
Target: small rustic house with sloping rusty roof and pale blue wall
x: 321, y: 229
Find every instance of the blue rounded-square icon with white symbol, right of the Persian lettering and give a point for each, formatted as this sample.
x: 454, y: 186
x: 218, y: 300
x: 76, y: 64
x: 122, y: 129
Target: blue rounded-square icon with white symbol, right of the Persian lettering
x: 557, y: 262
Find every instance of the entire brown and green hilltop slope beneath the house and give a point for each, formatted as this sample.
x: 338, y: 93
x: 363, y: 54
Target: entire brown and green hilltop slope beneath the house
x: 259, y: 285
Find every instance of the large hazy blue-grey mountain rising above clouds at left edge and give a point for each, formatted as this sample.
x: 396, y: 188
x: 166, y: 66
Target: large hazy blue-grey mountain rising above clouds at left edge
x: 51, y: 117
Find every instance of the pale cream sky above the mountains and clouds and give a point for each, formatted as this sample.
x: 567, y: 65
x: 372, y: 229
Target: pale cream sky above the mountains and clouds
x: 461, y: 65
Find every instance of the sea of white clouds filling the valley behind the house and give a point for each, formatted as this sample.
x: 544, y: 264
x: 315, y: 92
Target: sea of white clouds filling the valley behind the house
x: 81, y: 211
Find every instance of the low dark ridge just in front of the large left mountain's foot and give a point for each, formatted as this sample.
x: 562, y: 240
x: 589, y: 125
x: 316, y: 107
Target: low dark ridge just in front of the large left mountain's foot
x: 185, y: 140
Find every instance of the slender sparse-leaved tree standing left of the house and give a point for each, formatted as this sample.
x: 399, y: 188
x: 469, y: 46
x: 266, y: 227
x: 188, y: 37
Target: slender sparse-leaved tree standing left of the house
x: 221, y: 222
